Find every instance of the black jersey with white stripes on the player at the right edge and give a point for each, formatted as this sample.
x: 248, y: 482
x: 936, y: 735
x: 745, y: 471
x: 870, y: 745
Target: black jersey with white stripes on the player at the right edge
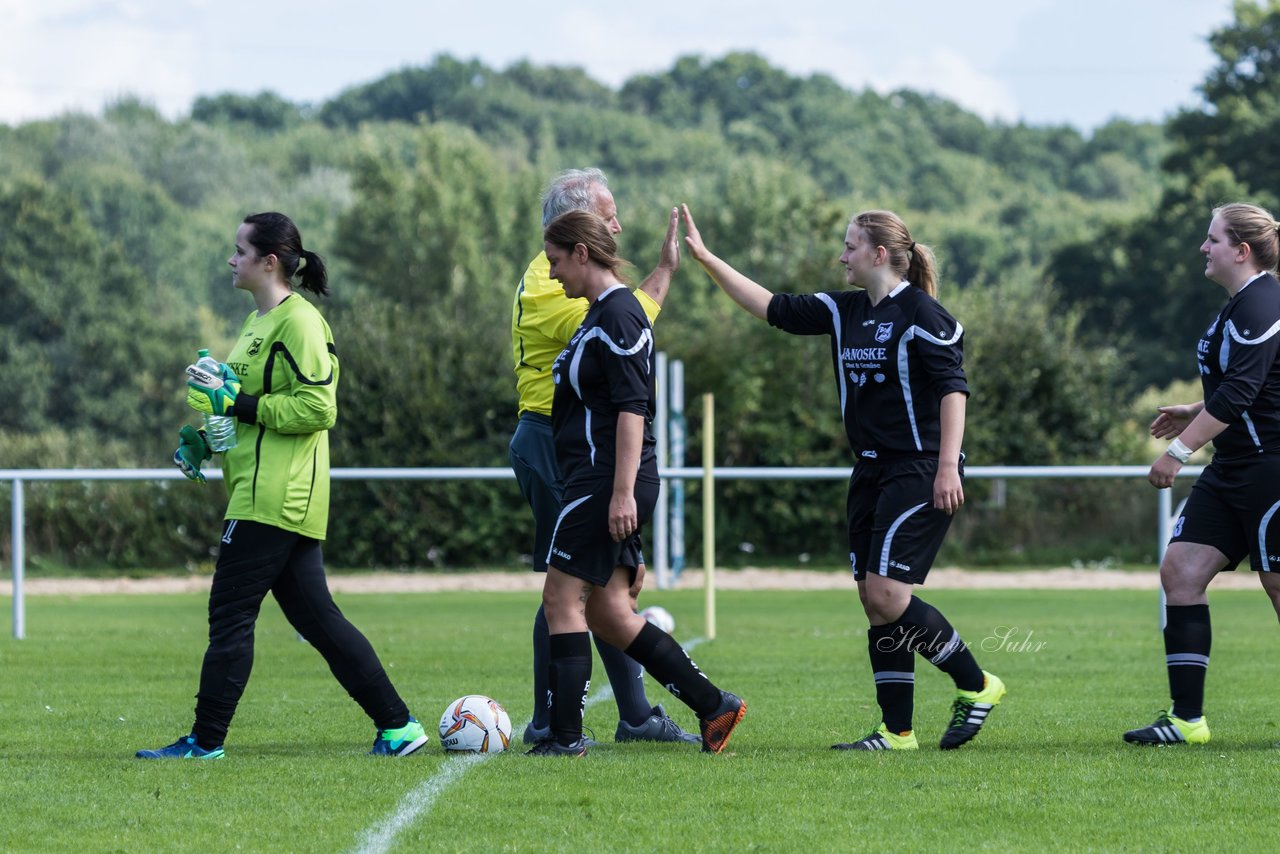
x: 1241, y: 373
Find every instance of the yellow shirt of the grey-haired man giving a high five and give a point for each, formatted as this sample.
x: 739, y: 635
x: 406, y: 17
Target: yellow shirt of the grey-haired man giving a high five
x: 542, y: 322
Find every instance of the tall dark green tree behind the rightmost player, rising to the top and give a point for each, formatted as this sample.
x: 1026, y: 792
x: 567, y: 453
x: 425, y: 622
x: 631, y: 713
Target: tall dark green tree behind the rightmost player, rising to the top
x: 1141, y: 278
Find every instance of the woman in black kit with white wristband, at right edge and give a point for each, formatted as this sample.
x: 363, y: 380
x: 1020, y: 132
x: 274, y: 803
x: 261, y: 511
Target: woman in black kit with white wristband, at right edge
x: 1232, y: 512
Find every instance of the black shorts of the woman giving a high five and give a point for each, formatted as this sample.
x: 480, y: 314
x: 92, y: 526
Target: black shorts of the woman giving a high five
x: 894, y: 528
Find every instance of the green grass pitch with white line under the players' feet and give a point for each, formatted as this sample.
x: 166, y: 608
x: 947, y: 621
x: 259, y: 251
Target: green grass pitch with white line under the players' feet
x: 100, y: 677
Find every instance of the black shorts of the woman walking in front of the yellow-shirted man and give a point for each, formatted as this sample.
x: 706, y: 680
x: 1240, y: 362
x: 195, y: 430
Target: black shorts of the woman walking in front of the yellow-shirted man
x: 582, y: 545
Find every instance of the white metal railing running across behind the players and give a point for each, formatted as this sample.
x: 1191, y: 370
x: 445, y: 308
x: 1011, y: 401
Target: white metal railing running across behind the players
x: 19, y: 478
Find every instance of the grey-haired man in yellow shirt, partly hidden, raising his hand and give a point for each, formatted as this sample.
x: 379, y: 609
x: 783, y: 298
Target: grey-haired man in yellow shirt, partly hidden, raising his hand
x: 542, y: 322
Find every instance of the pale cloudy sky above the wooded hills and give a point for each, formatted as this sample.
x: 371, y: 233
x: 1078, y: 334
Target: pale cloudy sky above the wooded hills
x: 1045, y: 62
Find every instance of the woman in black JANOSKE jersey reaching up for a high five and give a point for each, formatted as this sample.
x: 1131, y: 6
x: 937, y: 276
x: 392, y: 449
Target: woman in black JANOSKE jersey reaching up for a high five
x: 899, y: 373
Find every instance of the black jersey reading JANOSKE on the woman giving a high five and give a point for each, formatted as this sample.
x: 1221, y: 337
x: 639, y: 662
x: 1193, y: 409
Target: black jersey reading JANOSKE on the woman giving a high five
x: 894, y: 362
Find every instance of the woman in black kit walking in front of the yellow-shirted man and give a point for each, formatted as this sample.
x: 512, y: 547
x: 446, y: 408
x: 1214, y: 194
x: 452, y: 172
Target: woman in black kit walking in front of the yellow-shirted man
x: 601, y: 414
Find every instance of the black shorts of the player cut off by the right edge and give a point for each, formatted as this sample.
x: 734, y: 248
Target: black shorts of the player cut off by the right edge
x: 1235, y: 509
